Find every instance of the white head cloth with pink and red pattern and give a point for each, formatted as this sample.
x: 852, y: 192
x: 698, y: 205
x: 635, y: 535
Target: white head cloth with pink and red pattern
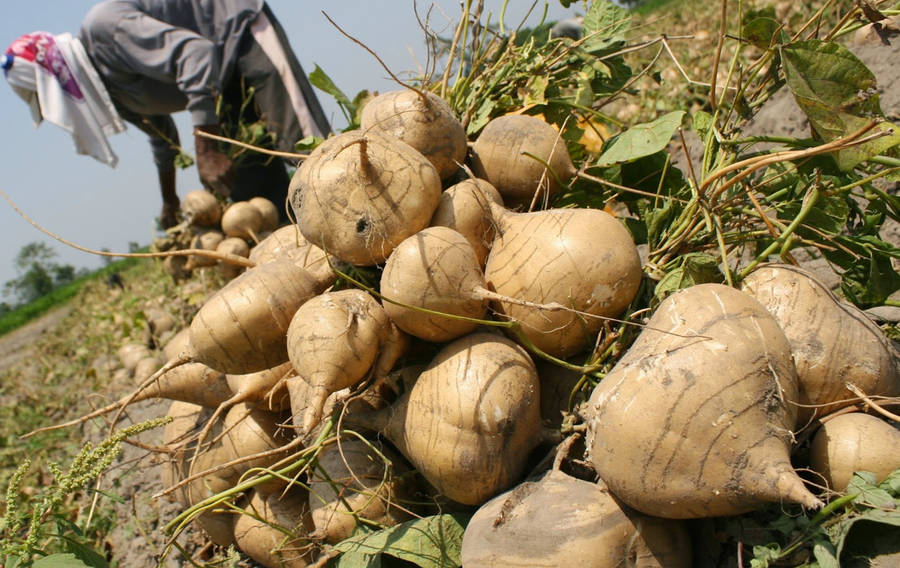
x: 54, y: 75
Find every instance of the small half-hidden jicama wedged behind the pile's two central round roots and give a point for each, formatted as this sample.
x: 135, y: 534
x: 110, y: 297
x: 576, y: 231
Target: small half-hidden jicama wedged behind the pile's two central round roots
x: 464, y: 207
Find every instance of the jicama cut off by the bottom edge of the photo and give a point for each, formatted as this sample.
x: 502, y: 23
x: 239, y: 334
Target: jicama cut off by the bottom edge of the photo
x: 559, y: 520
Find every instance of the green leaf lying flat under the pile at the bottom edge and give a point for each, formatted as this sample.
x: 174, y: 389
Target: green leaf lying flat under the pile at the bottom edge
x: 430, y: 542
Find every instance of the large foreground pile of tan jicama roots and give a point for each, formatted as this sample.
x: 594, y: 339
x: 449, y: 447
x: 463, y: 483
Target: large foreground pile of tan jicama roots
x: 439, y: 391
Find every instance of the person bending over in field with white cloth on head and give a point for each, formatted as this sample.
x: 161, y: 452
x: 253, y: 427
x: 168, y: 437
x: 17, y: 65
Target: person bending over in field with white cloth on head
x: 226, y: 63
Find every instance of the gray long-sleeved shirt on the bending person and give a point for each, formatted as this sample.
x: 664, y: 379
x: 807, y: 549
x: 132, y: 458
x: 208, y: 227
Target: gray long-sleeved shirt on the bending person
x: 157, y: 57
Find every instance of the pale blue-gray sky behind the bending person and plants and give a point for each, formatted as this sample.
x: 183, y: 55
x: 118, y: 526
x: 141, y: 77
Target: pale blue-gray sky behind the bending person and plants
x: 98, y: 207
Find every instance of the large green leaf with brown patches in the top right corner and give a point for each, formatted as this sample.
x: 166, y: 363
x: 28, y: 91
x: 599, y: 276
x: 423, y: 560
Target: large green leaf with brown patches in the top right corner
x: 837, y: 93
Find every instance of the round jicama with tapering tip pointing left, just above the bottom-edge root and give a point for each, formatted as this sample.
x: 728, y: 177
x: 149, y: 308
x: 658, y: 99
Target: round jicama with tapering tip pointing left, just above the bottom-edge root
x: 471, y: 419
